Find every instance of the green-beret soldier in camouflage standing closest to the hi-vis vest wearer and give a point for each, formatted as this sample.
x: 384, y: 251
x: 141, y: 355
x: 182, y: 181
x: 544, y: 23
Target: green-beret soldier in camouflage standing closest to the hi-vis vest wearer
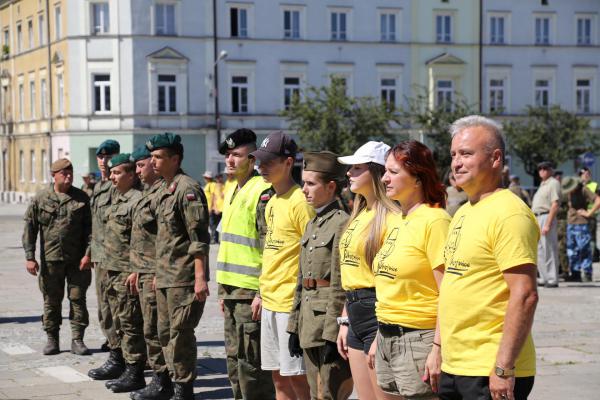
x: 182, y: 246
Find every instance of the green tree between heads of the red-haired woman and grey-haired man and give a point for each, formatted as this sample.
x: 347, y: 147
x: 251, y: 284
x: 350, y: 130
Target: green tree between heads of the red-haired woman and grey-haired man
x: 435, y: 122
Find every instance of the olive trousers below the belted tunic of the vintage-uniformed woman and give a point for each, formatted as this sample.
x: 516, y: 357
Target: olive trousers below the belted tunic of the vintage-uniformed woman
x: 330, y: 381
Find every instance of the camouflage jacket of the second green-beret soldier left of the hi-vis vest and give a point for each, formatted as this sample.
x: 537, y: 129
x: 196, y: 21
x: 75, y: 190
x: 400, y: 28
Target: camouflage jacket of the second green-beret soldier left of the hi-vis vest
x: 143, y: 231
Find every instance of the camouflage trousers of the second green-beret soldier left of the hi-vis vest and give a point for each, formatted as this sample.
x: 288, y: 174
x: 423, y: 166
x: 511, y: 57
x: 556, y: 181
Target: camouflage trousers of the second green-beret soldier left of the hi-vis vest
x: 147, y: 295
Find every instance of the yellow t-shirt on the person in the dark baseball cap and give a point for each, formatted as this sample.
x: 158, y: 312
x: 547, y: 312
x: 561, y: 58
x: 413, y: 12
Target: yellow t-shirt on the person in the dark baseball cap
x: 287, y: 216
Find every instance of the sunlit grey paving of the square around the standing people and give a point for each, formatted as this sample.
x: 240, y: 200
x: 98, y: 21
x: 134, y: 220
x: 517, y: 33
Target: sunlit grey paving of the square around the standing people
x: 566, y: 333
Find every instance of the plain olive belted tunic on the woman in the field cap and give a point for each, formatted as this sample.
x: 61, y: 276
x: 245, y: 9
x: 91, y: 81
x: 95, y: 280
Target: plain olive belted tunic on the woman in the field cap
x: 315, y: 311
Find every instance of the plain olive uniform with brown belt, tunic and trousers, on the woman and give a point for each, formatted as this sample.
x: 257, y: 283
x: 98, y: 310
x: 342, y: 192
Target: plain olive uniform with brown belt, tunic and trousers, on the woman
x: 318, y: 301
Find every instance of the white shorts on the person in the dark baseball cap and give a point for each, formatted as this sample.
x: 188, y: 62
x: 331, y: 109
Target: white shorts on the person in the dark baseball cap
x: 274, y: 353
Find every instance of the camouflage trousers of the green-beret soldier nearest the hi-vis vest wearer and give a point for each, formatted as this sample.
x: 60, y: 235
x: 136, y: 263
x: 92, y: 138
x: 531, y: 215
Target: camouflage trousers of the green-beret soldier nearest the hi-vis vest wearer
x: 178, y: 314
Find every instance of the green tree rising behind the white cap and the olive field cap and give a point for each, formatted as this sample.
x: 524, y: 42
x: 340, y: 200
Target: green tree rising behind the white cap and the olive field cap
x: 327, y: 119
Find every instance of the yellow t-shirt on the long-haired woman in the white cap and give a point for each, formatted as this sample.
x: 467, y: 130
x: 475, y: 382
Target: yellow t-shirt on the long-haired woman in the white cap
x: 356, y: 273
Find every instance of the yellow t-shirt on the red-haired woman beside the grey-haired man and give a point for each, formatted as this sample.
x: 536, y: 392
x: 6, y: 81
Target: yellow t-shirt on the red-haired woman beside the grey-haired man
x: 407, y: 293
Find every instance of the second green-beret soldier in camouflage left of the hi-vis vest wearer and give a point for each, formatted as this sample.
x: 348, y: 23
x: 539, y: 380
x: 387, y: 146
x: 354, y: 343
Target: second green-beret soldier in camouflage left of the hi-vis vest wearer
x: 143, y: 263
